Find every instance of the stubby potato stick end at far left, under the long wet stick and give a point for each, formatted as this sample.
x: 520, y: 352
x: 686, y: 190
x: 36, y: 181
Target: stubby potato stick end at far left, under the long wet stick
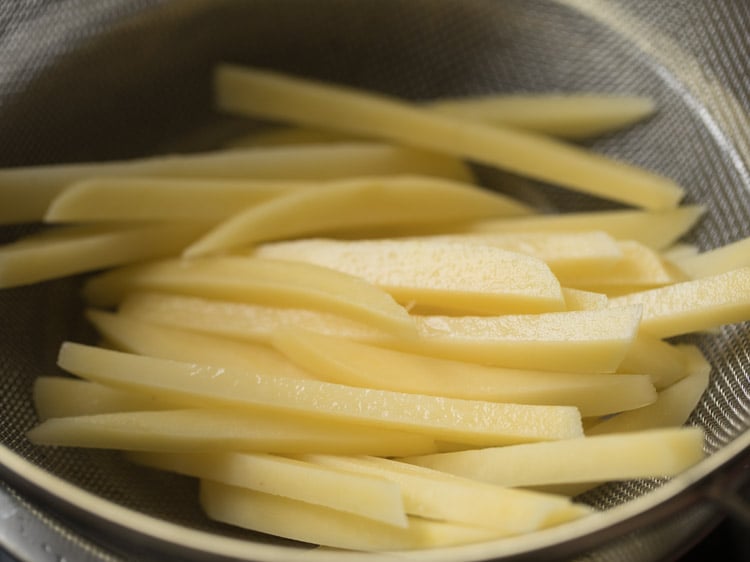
x: 57, y: 397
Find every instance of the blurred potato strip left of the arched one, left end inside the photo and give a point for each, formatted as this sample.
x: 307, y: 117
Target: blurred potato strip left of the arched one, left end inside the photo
x: 134, y: 198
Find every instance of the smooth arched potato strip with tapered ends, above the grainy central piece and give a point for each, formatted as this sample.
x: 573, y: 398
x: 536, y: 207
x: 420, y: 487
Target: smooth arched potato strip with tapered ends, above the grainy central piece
x: 354, y: 204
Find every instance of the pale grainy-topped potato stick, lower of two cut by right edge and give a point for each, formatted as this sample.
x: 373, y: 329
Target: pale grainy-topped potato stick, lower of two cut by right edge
x: 692, y: 306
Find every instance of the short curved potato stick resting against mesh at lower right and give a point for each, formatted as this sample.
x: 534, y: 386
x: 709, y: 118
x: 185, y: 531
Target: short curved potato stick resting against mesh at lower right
x: 673, y: 405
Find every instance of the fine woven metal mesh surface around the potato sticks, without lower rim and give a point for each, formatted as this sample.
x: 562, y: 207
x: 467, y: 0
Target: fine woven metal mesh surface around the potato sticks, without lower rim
x: 91, y: 81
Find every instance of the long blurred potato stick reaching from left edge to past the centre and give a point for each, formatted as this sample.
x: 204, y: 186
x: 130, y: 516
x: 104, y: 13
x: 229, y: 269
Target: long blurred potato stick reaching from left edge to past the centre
x: 26, y: 192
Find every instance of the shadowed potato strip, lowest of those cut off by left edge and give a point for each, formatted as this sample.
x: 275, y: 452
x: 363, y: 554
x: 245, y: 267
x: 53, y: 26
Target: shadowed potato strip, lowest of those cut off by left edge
x: 80, y: 249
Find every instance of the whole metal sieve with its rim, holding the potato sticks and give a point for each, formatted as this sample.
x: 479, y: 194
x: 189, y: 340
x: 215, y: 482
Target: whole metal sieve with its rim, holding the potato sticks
x: 85, y: 81
